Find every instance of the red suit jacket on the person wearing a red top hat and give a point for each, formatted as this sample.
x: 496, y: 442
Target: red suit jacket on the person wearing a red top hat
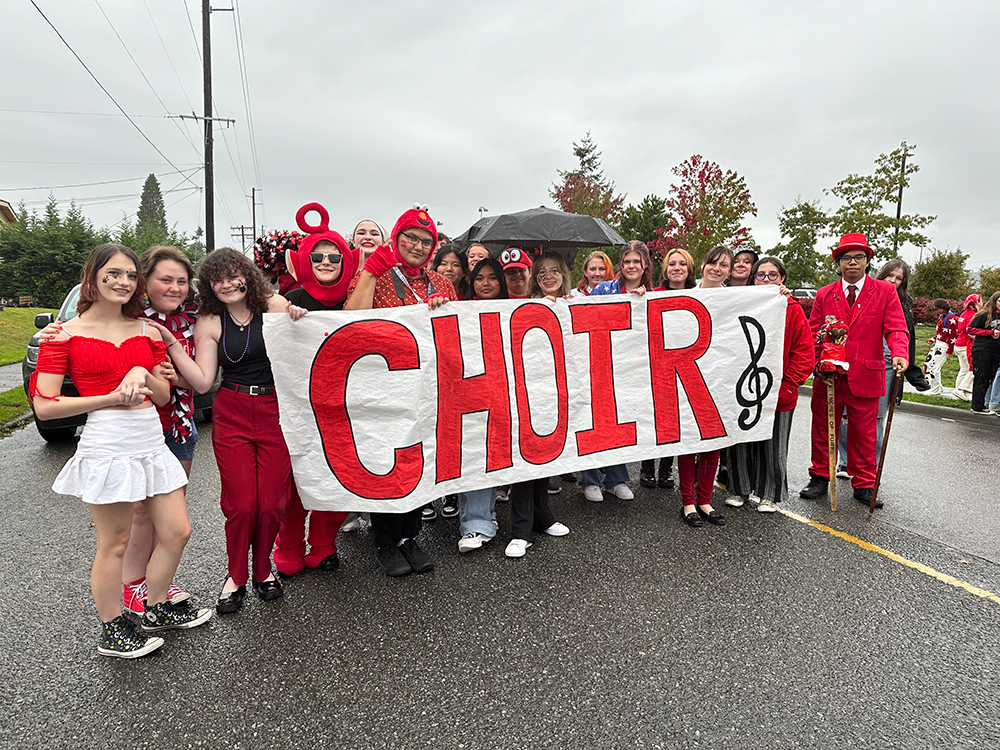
x: 876, y: 314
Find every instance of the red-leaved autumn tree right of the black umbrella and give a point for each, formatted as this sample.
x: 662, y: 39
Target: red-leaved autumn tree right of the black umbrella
x: 705, y: 209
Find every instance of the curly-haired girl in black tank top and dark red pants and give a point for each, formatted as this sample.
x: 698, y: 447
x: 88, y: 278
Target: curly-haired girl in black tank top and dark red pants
x: 254, y: 466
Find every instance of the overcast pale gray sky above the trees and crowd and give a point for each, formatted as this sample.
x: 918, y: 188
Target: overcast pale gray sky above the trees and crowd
x: 368, y: 107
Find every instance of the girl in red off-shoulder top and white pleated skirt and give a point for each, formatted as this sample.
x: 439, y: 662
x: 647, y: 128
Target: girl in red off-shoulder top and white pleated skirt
x: 114, y: 361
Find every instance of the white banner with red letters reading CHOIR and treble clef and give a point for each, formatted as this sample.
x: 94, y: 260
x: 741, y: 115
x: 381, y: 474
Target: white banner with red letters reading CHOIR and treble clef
x: 385, y: 410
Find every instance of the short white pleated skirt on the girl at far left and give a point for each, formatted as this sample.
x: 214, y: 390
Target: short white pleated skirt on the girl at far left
x: 121, y: 458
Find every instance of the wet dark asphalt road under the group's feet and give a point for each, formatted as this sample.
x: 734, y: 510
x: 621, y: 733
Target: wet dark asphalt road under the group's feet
x: 633, y: 631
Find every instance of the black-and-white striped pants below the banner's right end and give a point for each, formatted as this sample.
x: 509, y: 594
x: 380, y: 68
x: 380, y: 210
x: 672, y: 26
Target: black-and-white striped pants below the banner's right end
x: 761, y: 468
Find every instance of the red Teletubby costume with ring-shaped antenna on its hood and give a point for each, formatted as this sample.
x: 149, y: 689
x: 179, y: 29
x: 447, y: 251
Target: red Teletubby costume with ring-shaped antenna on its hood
x: 290, y: 555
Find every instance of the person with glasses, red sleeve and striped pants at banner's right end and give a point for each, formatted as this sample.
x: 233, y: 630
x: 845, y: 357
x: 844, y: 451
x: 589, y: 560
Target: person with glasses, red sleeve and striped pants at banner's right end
x: 761, y: 468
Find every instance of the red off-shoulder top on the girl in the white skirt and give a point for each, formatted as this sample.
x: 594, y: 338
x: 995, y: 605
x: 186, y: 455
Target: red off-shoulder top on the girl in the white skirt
x: 96, y: 366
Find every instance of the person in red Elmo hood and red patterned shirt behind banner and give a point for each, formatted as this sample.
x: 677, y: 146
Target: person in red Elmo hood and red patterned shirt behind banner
x: 396, y: 275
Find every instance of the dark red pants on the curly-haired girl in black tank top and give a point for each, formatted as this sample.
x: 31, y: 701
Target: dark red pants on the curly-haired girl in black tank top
x: 256, y: 475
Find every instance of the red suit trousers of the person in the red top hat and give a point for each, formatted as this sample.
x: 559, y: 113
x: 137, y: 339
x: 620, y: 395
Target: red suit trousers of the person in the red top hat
x: 862, y: 414
